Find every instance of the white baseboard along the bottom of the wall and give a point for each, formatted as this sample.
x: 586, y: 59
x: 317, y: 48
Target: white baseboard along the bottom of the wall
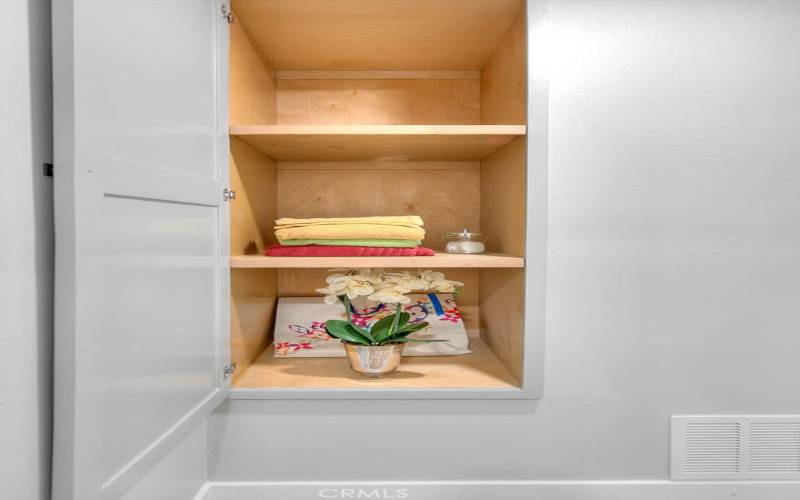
x: 503, y: 490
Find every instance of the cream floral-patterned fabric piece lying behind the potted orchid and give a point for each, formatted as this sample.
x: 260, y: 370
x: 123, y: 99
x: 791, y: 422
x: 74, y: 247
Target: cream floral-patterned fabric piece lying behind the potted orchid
x: 300, y: 325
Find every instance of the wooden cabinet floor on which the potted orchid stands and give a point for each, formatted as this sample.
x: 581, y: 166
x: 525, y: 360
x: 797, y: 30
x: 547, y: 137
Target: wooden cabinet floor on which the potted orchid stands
x: 481, y: 369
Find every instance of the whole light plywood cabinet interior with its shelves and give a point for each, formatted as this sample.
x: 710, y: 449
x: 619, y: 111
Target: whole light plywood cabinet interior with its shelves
x: 353, y: 108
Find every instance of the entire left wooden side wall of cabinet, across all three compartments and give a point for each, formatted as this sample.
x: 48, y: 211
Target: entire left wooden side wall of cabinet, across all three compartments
x: 253, y: 178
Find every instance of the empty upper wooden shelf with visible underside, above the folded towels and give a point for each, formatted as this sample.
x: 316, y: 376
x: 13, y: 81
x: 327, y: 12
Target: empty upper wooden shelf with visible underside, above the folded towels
x: 377, y: 142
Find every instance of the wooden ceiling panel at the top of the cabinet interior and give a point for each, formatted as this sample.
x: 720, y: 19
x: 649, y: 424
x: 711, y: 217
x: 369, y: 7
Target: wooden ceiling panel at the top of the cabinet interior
x: 377, y: 35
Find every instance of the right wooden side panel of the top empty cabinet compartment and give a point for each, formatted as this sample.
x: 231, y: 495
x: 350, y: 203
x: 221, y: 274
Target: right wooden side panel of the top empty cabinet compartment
x: 504, y: 78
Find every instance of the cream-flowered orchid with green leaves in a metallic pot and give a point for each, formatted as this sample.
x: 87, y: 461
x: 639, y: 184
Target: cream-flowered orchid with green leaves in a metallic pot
x: 377, y: 349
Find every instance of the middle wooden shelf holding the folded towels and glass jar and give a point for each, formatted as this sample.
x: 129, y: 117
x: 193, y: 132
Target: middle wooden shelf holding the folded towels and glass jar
x: 440, y: 260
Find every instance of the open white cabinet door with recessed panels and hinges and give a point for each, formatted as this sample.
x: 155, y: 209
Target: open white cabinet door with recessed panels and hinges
x: 141, y: 232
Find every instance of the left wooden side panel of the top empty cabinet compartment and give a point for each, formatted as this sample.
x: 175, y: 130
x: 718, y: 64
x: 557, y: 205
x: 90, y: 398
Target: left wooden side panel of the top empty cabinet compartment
x: 252, y: 81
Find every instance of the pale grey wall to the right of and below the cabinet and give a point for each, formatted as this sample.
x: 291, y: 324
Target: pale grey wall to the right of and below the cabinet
x: 674, y: 277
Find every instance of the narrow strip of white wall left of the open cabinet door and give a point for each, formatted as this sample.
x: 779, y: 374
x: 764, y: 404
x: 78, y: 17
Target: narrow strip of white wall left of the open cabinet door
x: 26, y: 249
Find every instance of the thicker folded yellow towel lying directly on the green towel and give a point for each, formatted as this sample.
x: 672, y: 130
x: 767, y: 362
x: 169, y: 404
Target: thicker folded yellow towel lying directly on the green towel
x: 343, y: 231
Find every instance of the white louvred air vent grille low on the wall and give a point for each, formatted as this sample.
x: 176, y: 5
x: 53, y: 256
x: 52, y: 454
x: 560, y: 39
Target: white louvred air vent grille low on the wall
x: 736, y: 447
